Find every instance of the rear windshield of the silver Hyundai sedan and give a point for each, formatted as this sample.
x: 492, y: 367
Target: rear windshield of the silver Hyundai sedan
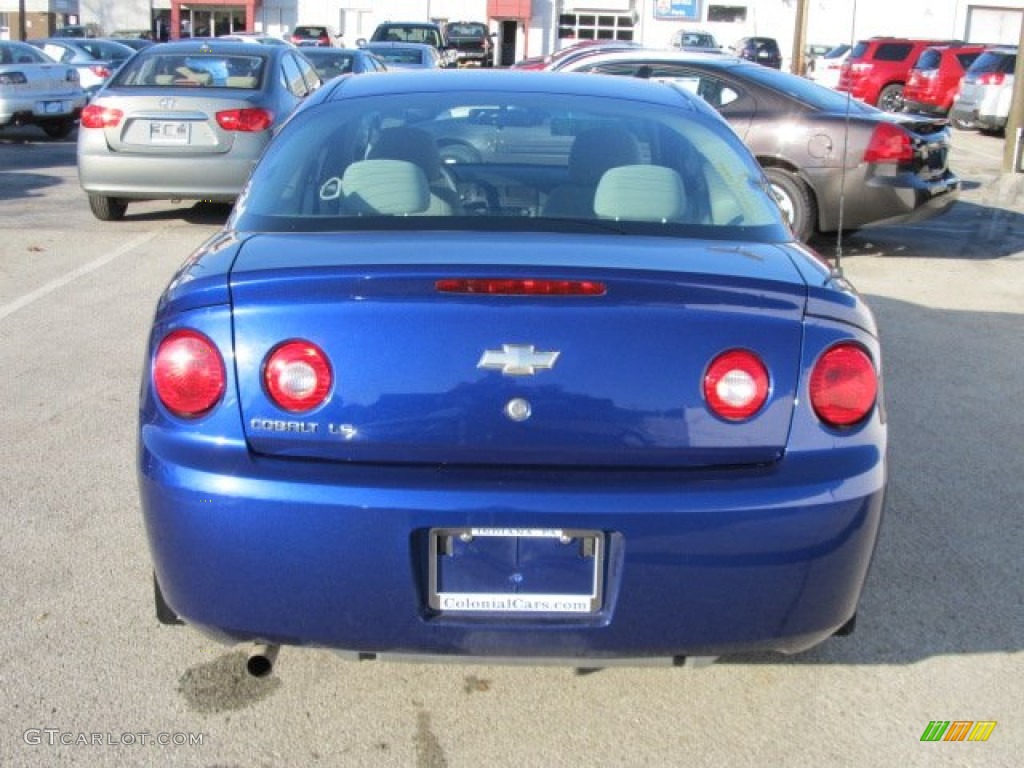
x: 200, y: 70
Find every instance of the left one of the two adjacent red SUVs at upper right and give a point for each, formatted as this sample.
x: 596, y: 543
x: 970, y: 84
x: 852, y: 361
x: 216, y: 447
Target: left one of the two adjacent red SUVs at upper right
x: 878, y: 69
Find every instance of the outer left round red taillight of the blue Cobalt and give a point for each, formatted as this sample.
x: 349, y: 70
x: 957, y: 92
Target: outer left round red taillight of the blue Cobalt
x: 189, y: 374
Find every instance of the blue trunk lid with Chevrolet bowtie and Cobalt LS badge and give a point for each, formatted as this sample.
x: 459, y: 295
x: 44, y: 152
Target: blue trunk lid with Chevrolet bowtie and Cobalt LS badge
x: 425, y: 376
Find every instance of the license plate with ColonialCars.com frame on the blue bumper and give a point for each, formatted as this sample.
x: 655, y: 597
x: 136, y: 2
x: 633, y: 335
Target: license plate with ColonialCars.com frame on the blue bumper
x: 525, y: 572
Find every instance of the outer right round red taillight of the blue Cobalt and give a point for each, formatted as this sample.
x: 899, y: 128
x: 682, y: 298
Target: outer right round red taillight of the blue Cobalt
x: 844, y: 386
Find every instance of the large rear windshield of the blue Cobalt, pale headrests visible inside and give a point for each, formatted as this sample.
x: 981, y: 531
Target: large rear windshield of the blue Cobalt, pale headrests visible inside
x: 519, y: 162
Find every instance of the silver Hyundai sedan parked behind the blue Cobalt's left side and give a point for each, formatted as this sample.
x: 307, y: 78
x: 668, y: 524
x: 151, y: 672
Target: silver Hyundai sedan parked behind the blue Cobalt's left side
x: 187, y: 121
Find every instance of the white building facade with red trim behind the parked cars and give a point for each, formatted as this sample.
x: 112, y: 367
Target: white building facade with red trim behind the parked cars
x: 526, y: 28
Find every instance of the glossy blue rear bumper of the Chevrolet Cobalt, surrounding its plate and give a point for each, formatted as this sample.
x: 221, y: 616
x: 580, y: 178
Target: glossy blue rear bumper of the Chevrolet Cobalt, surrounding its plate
x: 337, y: 556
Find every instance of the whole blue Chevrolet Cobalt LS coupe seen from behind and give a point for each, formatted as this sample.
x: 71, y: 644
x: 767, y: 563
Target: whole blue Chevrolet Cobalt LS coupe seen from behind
x: 583, y: 398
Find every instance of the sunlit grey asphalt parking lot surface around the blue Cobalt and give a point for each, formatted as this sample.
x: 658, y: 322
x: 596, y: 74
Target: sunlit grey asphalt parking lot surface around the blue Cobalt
x: 91, y: 679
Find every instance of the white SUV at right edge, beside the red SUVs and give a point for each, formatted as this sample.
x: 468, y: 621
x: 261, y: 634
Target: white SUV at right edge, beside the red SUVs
x: 986, y: 92
